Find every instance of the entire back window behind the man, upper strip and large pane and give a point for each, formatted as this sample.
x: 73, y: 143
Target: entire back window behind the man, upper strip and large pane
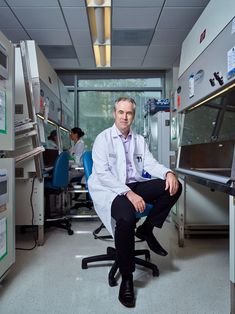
x: 96, y: 102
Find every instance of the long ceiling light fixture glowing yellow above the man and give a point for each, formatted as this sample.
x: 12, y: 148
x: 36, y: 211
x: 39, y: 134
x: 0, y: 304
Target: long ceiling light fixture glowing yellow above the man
x: 99, y: 13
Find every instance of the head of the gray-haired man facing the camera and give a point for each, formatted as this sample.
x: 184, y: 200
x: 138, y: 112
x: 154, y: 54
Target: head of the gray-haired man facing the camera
x: 124, y: 116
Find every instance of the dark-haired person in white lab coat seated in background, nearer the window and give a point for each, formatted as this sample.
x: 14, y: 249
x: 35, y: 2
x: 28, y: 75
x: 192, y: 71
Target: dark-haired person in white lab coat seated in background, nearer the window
x: 76, y: 152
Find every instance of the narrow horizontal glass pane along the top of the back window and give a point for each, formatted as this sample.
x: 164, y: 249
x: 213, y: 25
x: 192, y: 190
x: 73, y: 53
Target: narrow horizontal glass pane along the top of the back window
x: 144, y: 82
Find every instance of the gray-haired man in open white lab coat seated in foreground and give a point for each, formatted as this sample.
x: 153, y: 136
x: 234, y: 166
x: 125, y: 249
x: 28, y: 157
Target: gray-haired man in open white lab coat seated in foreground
x: 118, y: 191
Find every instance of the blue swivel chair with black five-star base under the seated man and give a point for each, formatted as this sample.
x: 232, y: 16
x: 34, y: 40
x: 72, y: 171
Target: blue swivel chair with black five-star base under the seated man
x: 111, y: 253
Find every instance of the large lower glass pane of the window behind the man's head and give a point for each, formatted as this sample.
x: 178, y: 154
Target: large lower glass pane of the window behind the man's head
x: 96, y: 111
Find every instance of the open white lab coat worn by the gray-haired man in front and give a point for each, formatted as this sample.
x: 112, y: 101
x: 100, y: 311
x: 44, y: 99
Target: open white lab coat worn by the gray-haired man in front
x: 109, y: 170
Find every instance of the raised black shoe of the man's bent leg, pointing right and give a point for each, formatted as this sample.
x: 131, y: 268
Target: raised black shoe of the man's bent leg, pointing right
x: 152, y: 242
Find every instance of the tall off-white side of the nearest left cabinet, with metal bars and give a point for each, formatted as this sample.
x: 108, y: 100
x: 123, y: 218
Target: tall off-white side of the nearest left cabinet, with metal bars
x: 28, y: 148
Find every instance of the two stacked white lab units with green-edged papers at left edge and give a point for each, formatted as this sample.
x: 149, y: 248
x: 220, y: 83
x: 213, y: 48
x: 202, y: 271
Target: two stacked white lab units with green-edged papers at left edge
x: 7, y: 165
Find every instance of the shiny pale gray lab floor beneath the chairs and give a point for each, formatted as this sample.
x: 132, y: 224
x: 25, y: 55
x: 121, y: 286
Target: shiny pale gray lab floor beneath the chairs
x: 49, y: 279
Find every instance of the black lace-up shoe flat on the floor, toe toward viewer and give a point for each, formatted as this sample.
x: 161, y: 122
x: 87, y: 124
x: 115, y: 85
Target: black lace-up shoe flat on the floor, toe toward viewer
x: 126, y: 292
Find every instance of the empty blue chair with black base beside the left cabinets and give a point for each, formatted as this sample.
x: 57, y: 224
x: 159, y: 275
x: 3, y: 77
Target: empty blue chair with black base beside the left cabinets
x: 57, y: 185
